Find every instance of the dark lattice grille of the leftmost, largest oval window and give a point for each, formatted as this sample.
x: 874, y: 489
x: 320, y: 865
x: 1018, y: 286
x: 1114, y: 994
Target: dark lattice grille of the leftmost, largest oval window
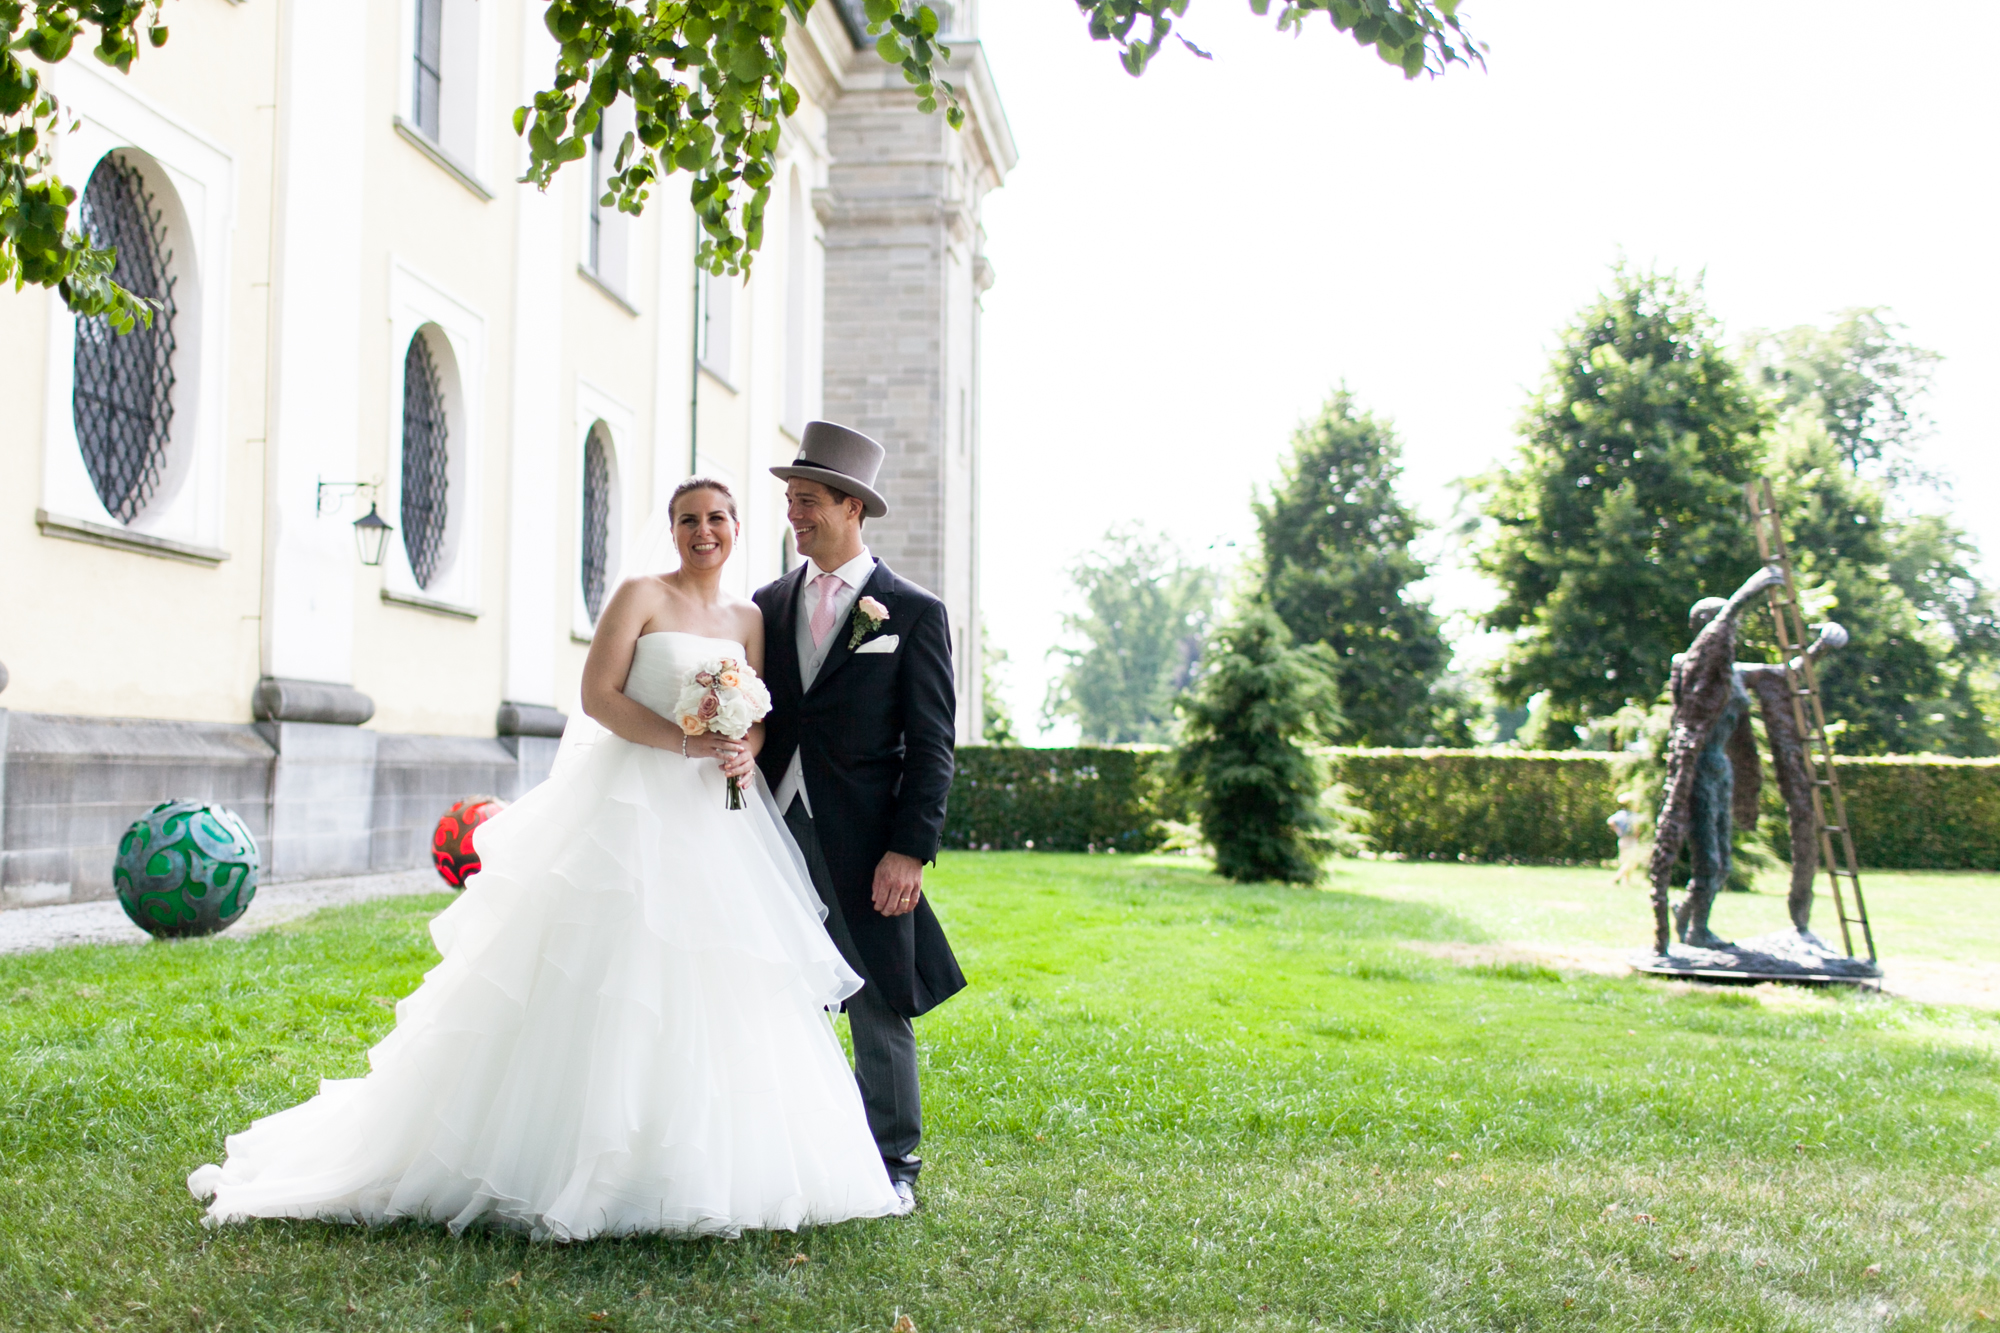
x: 125, y: 383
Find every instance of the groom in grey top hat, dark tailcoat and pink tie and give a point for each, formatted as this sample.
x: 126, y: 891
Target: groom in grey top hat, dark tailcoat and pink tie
x: 859, y: 754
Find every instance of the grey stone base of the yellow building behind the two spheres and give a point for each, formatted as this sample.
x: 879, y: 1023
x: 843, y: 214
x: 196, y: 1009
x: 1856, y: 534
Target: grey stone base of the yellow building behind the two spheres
x: 321, y: 800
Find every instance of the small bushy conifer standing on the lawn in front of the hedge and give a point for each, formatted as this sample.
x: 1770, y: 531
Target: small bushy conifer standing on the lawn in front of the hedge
x: 1247, y: 754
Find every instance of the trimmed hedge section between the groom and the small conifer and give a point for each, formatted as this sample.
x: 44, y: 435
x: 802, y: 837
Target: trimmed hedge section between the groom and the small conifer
x: 1061, y: 800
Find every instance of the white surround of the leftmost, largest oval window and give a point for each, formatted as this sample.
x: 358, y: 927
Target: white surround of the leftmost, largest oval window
x: 195, y: 185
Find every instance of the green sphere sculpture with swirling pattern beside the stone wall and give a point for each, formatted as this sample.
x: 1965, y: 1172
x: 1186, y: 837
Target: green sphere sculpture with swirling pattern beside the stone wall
x: 187, y: 868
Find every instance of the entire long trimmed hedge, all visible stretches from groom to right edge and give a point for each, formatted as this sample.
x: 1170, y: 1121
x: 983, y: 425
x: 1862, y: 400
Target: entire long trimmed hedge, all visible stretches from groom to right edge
x: 1453, y: 806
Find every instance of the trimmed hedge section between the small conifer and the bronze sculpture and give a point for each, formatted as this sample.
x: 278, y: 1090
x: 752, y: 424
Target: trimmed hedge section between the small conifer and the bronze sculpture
x: 1483, y: 806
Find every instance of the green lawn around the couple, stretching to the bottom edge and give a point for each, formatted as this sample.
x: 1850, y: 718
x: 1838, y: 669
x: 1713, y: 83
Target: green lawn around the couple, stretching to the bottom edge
x: 1165, y: 1104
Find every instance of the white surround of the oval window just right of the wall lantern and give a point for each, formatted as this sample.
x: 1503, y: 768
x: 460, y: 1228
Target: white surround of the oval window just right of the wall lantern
x: 415, y: 303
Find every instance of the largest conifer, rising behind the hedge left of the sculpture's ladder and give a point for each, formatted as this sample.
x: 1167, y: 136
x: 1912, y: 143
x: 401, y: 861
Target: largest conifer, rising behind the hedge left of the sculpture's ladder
x: 1623, y: 505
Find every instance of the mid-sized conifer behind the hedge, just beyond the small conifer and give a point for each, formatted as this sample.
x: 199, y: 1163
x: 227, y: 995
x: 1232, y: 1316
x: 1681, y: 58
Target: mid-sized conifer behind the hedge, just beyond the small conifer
x: 1339, y: 567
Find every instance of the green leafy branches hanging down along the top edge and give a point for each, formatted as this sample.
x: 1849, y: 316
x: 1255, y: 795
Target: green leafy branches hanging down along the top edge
x: 707, y: 83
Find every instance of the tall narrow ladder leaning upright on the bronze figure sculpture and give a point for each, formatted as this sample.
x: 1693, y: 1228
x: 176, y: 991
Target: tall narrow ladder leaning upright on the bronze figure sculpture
x: 1803, y: 688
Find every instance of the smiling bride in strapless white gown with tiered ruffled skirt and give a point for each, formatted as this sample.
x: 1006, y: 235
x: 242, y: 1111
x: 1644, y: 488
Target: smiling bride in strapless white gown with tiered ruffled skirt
x: 629, y: 1026
